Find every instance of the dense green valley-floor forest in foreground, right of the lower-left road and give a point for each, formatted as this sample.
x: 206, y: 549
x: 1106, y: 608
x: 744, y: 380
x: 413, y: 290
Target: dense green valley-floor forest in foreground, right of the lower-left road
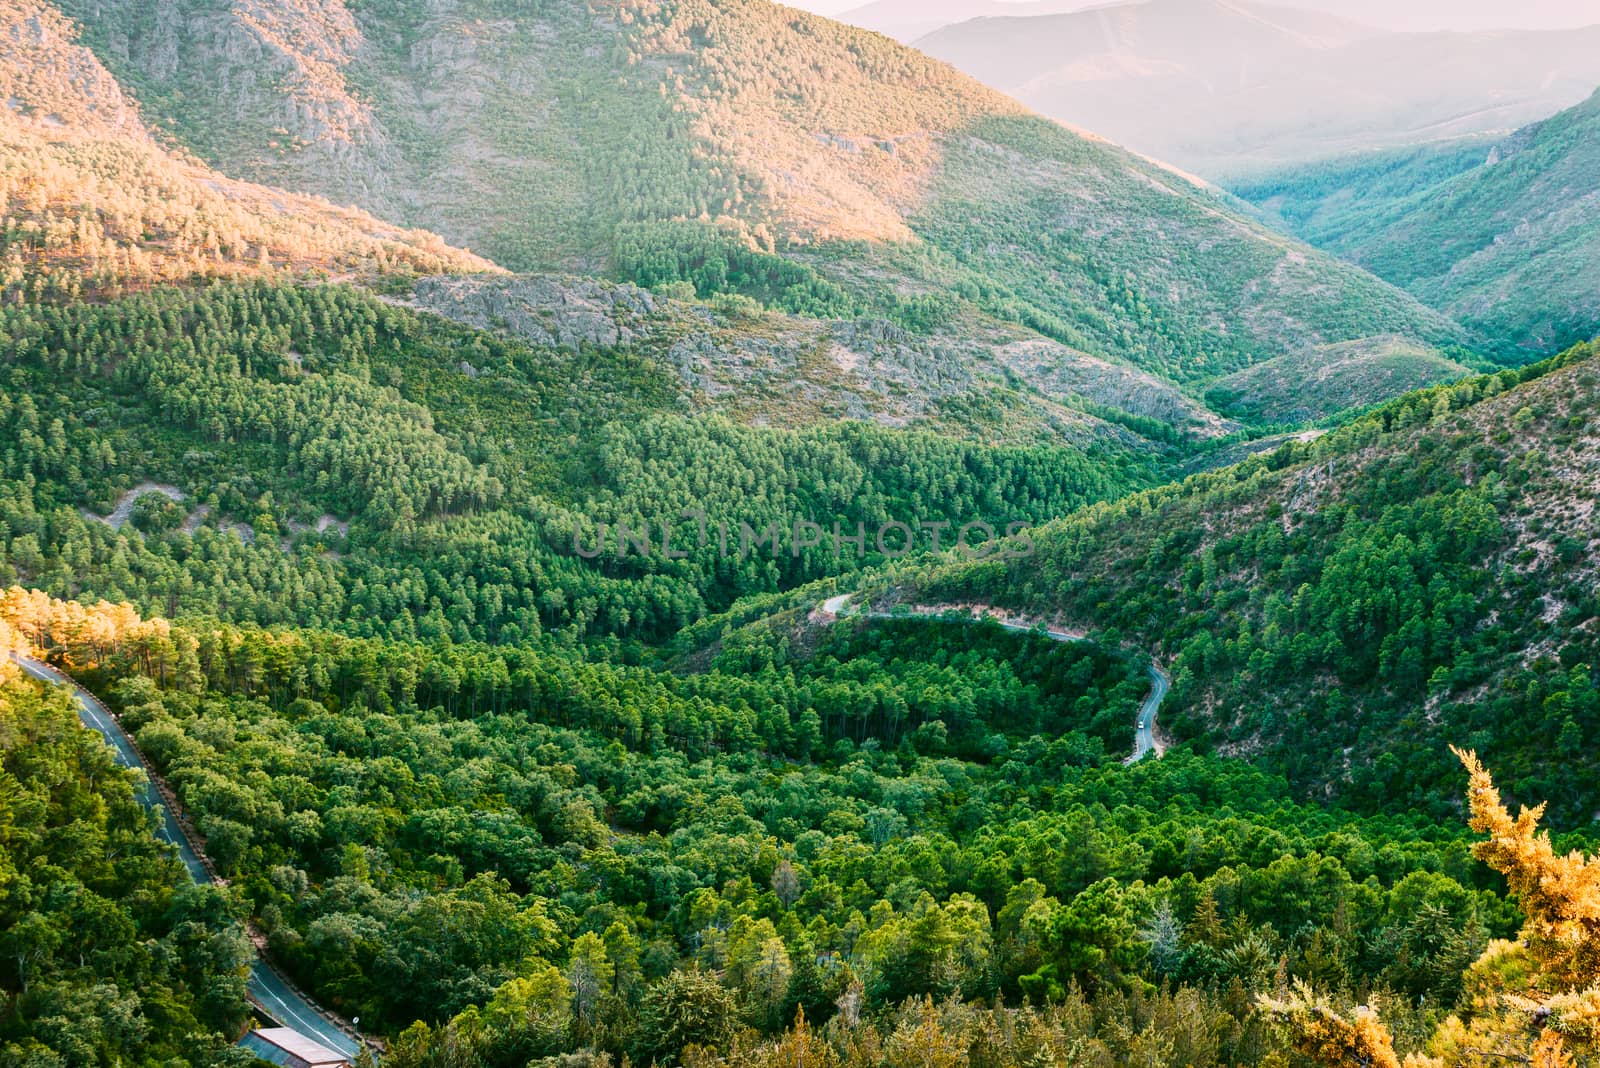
x: 500, y: 855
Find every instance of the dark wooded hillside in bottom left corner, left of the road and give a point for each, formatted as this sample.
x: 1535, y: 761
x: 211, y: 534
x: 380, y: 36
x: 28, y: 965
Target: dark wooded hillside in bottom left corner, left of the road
x: 111, y: 955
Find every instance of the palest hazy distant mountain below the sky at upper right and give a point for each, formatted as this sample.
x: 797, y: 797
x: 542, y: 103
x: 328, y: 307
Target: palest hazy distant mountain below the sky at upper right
x: 1223, y: 89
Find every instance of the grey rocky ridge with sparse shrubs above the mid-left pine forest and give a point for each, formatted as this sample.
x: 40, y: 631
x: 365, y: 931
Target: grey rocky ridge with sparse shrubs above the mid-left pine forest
x: 769, y: 369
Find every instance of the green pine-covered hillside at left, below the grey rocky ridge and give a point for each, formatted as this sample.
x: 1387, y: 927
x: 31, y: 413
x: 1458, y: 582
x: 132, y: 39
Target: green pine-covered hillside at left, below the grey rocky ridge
x: 314, y: 456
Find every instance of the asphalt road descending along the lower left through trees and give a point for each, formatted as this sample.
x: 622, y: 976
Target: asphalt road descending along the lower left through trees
x: 270, y: 989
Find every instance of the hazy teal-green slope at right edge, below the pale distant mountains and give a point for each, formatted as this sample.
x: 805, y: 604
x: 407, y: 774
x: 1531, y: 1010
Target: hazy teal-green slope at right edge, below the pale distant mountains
x: 1508, y: 245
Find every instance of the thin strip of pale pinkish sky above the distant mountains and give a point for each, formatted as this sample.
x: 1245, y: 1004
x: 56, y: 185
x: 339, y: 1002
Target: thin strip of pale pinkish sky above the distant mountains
x: 1404, y: 15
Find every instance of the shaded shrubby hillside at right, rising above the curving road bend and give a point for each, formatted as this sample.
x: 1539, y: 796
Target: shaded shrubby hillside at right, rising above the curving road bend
x: 1342, y: 610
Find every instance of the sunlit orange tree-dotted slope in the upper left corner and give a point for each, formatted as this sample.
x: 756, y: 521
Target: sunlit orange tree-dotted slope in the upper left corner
x: 94, y: 199
